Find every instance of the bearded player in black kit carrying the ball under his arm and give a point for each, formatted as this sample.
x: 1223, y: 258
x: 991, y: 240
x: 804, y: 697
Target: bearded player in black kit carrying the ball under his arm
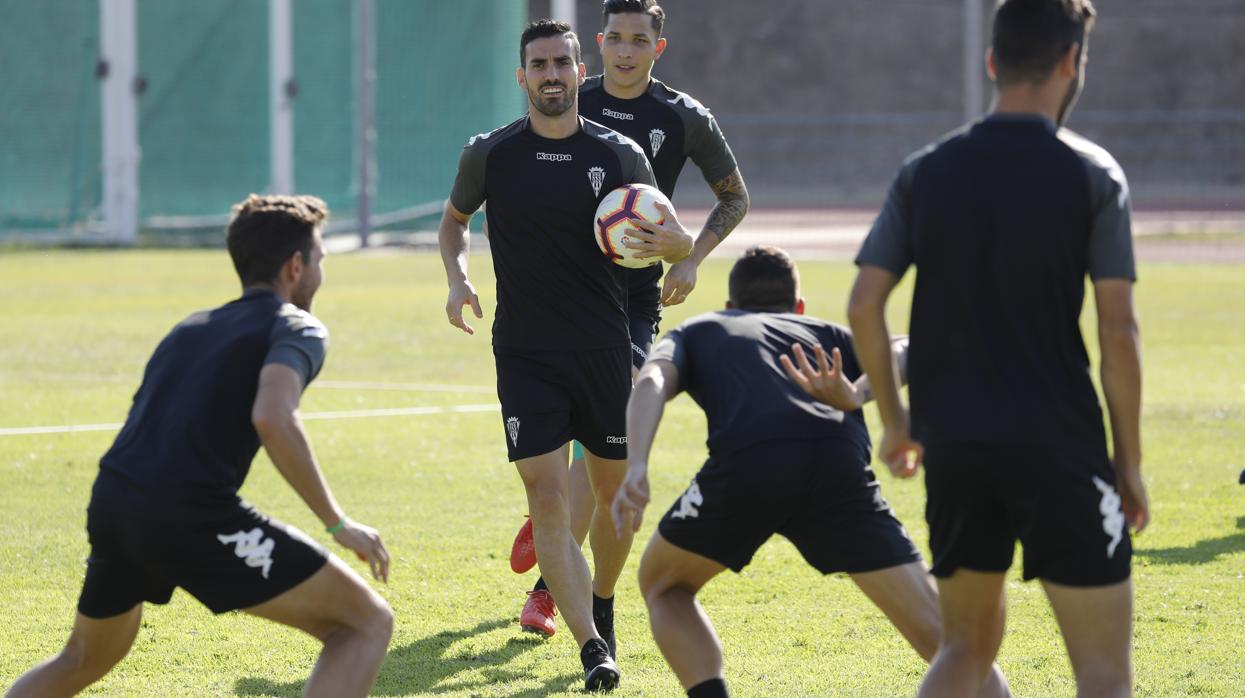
x: 561, y: 335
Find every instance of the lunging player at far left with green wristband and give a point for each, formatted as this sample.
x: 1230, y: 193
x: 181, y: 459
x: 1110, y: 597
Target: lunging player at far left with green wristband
x: 165, y: 510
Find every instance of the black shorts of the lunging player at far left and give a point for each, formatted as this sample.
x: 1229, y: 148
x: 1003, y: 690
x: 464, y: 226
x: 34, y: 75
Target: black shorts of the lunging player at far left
x: 230, y: 559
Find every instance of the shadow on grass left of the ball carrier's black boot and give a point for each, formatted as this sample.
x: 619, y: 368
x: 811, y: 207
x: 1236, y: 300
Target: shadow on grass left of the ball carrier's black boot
x: 425, y: 668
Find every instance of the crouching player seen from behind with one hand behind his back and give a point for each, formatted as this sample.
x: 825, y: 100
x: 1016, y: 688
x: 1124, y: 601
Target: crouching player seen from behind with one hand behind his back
x: 785, y: 458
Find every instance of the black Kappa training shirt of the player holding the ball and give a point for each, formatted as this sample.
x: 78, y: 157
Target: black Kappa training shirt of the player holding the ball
x: 555, y: 287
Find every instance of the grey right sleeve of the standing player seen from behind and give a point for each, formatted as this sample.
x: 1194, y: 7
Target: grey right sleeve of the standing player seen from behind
x: 1111, y: 237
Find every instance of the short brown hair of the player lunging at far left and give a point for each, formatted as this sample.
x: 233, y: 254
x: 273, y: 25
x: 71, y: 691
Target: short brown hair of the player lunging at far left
x: 266, y: 231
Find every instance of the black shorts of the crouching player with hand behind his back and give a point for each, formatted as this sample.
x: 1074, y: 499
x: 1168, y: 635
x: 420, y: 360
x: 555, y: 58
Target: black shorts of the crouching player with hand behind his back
x: 820, y: 495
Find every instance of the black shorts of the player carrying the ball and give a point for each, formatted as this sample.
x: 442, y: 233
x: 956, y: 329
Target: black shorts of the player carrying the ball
x: 552, y: 398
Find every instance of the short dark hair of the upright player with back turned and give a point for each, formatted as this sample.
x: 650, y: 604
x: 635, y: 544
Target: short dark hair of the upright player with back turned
x: 1030, y: 37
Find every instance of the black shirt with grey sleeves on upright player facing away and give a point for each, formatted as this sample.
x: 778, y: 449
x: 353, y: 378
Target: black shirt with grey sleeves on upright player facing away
x: 1004, y: 221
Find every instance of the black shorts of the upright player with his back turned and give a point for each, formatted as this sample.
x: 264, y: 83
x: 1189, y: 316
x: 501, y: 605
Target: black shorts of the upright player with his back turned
x: 1063, y: 507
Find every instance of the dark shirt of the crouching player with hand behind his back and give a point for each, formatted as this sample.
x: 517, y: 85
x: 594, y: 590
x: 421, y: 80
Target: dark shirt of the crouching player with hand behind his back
x: 729, y: 363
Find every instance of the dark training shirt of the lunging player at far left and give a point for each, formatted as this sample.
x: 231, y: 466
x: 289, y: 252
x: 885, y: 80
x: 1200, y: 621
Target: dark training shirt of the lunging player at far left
x: 189, y: 441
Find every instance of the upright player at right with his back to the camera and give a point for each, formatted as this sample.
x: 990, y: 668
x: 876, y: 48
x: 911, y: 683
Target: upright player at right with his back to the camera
x: 1003, y: 221
